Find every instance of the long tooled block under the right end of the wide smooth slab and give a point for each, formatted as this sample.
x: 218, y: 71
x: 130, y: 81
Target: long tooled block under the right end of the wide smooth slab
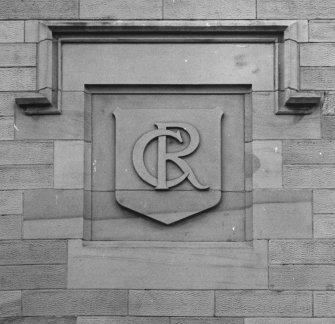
x: 263, y: 303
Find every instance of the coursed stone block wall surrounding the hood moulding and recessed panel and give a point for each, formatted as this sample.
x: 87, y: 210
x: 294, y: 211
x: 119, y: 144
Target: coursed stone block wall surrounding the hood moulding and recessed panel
x: 294, y: 194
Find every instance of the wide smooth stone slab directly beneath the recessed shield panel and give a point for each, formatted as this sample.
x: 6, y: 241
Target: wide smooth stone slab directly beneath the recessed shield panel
x: 167, y: 265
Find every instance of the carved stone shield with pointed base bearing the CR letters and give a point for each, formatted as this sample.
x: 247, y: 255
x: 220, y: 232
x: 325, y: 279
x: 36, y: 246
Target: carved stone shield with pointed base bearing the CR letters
x: 168, y: 161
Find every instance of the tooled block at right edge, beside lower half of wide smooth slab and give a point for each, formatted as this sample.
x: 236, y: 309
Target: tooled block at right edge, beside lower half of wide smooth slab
x: 302, y: 277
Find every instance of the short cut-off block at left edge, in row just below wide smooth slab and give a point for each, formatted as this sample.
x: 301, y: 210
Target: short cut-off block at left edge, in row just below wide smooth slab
x: 10, y: 304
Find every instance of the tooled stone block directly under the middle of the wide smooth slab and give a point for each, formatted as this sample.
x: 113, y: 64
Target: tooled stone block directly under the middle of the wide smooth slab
x: 171, y: 303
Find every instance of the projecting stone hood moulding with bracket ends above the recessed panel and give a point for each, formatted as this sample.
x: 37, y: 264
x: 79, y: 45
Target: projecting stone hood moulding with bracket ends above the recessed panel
x: 284, y: 35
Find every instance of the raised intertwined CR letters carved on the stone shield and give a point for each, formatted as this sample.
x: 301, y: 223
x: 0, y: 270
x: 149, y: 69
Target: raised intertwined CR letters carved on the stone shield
x: 161, y: 133
